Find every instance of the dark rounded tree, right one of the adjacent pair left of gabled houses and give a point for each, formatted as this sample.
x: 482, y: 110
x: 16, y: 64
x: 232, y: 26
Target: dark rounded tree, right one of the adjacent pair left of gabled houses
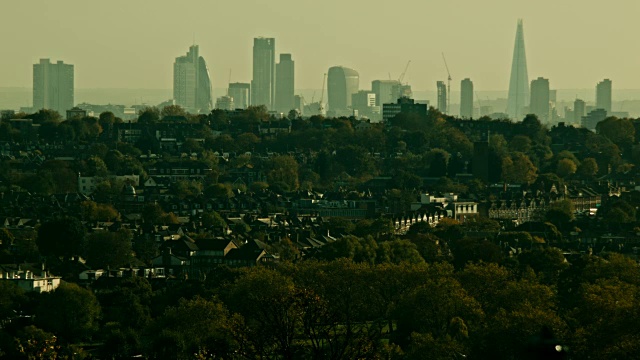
x: 109, y: 249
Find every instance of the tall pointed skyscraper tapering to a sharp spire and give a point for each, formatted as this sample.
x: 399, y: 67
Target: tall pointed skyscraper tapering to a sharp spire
x: 519, y: 83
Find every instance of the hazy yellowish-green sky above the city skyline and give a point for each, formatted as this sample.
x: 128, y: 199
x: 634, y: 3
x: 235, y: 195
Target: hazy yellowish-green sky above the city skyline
x: 133, y: 43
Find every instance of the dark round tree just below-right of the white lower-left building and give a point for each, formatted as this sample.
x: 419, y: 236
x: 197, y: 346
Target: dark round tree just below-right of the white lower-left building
x: 70, y: 312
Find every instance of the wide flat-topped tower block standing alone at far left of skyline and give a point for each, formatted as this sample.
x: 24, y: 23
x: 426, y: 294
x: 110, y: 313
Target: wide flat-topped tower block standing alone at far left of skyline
x: 53, y: 86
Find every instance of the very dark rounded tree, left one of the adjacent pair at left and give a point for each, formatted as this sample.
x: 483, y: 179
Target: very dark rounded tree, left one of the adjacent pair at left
x: 62, y: 237
